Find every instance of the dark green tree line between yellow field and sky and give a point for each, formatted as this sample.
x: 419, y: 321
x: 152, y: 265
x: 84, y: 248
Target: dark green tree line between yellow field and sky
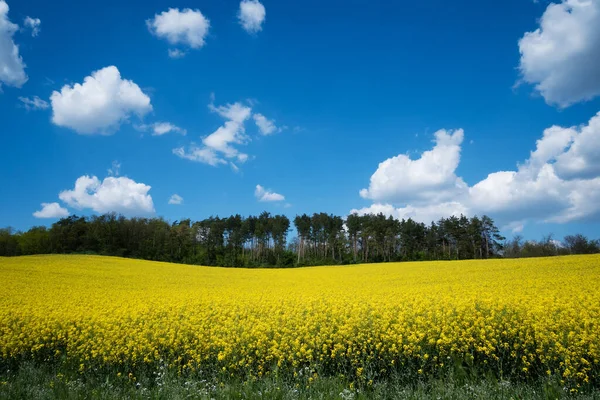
x: 262, y: 241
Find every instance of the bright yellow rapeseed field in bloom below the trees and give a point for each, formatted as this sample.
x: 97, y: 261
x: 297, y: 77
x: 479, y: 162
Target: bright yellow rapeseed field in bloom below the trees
x: 516, y: 318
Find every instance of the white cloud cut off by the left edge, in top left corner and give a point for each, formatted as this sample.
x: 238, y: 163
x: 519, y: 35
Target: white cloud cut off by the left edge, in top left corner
x: 12, y: 68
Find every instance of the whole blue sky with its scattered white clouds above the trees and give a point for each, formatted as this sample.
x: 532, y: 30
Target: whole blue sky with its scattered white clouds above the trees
x: 447, y: 93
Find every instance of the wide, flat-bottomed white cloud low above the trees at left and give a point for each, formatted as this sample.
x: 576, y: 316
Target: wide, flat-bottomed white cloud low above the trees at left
x: 113, y: 194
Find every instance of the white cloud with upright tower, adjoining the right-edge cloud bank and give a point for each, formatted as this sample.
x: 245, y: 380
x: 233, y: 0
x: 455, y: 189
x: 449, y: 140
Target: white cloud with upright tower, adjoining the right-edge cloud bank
x: 429, y: 178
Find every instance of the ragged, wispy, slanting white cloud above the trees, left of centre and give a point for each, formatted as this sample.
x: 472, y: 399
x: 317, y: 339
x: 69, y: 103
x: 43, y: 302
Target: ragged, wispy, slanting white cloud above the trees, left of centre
x: 220, y: 146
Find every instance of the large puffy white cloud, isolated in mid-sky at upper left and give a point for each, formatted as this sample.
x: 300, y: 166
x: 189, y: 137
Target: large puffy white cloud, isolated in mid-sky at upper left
x: 100, y: 105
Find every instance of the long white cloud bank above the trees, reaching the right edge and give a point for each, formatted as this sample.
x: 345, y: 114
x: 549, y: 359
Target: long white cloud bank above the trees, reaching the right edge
x: 559, y: 182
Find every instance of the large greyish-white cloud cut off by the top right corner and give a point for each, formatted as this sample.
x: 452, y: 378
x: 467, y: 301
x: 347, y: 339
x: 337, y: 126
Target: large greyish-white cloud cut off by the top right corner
x: 562, y: 55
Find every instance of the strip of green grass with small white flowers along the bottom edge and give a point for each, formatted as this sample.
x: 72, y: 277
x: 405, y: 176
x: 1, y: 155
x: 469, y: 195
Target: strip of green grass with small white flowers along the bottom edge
x: 33, y: 381
